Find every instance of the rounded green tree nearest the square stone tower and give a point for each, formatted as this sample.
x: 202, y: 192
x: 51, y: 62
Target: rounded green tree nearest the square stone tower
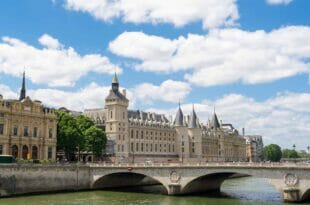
x: 95, y: 140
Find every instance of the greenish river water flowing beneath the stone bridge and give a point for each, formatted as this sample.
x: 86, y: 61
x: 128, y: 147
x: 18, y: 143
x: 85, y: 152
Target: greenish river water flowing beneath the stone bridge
x: 242, y: 191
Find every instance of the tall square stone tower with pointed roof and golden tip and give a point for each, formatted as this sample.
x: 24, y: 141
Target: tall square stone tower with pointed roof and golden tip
x: 116, y: 105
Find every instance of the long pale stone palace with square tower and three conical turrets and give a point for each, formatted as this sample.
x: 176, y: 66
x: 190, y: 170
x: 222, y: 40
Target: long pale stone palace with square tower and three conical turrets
x: 143, y: 136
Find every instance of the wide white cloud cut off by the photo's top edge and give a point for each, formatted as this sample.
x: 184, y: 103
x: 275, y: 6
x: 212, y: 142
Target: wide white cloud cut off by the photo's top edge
x: 212, y: 13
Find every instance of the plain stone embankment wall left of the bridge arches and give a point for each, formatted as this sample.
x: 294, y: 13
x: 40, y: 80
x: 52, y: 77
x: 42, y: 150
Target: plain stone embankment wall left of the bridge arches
x: 25, y: 179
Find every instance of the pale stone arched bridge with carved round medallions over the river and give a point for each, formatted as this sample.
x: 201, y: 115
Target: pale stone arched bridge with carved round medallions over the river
x: 291, y: 180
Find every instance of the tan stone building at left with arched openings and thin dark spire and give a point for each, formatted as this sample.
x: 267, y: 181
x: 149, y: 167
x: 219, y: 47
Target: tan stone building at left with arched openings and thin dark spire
x: 27, y: 128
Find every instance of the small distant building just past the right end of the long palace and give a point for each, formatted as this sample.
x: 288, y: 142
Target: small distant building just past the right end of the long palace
x: 254, y: 148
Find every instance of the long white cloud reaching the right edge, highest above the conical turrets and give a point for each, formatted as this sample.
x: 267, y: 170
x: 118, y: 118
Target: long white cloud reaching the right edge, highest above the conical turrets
x: 222, y: 56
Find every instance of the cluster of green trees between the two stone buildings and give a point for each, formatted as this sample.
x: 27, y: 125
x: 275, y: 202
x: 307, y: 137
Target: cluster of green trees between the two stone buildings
x: 78, y: 134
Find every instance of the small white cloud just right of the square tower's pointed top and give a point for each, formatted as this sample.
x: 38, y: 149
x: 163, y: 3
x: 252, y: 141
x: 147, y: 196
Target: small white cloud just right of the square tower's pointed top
x: 168, y: 91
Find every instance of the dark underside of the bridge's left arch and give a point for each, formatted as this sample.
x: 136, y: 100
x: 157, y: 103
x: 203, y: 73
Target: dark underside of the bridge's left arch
x: 126, y: 179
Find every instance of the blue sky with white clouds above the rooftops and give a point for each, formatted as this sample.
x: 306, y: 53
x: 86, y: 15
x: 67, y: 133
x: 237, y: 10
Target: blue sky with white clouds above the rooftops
x: 248, y: 59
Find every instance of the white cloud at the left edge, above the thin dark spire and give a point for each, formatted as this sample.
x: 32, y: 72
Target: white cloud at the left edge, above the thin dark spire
x: 53, y: 64
